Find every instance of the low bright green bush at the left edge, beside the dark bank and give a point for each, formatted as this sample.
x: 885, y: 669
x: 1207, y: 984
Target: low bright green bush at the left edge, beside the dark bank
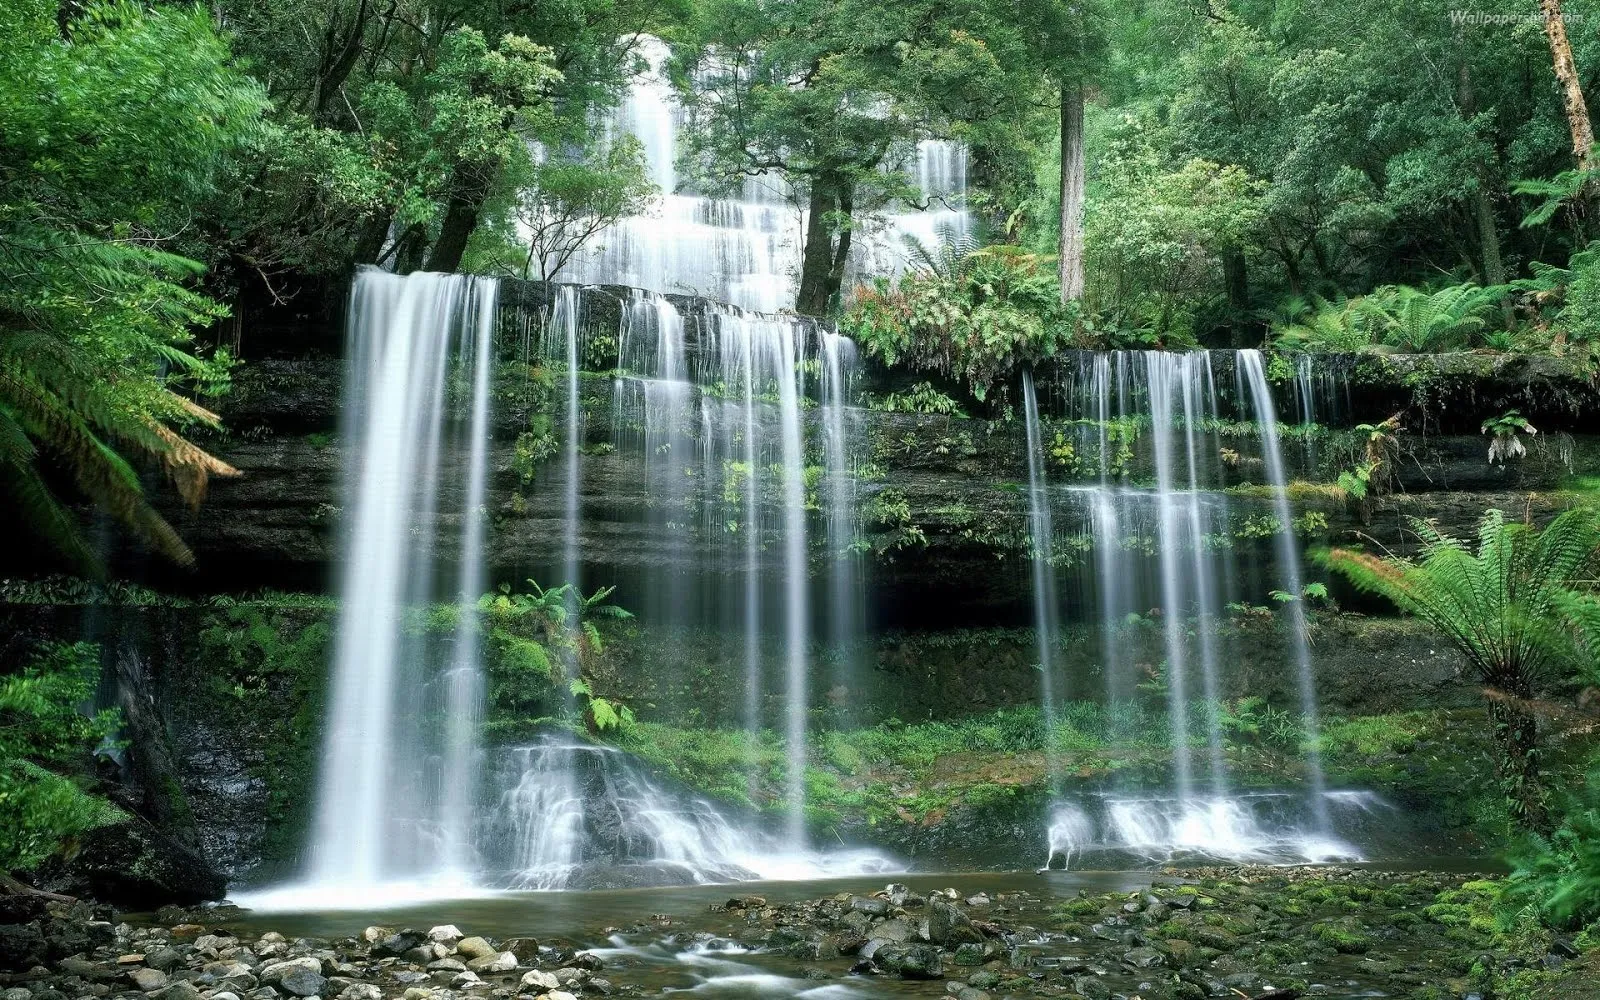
x: 44, y: 742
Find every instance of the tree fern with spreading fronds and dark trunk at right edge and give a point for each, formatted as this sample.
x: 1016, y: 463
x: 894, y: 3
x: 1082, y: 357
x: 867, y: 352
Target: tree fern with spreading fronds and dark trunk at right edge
x: 1518, y: 614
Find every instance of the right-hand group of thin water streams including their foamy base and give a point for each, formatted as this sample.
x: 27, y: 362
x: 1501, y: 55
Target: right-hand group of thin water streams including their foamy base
x: 1142, y: 436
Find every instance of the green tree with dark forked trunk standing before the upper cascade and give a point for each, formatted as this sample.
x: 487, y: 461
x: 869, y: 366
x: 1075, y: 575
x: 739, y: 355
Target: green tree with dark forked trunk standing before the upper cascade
x: 833, y: 97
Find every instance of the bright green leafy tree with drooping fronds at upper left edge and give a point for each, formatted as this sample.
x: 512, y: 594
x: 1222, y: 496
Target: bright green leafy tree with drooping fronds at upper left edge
x: 98, y: 359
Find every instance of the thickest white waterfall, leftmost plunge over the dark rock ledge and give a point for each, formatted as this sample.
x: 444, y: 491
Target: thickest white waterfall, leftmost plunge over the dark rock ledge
x: 394, y: 793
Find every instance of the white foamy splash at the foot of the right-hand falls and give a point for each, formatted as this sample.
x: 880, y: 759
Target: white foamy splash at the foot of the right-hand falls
x: 1263, y: 828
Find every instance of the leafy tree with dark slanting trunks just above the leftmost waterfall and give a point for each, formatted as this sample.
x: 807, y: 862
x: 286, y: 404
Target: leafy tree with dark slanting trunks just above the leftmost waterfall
x: 402, y: 129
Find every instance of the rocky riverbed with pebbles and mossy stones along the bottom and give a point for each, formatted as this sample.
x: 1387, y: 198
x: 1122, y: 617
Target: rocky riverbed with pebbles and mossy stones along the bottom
x: 1190, y: 935
